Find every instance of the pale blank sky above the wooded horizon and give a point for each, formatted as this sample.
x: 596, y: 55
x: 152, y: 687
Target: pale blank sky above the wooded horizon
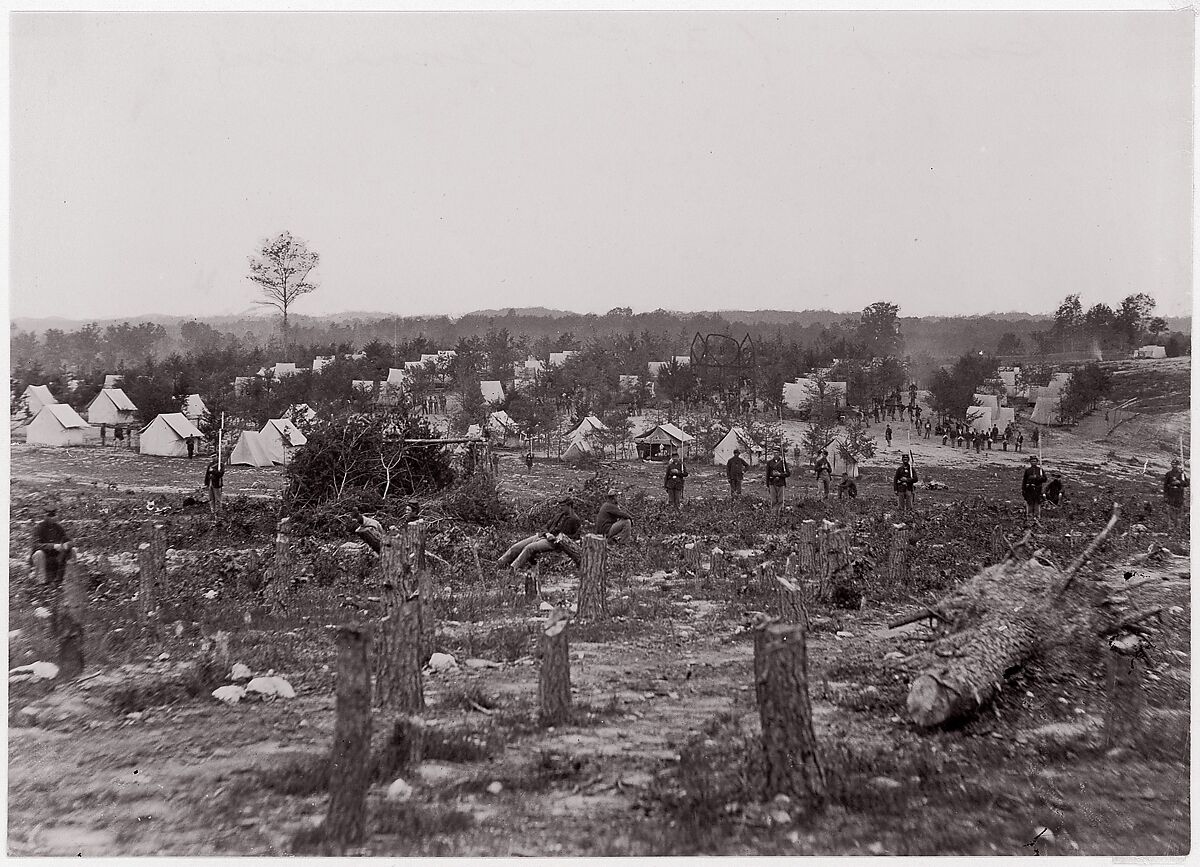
x: 951, y: 163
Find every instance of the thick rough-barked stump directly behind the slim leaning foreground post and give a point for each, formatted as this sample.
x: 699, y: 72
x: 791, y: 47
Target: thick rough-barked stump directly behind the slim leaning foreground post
x: 398, y: 660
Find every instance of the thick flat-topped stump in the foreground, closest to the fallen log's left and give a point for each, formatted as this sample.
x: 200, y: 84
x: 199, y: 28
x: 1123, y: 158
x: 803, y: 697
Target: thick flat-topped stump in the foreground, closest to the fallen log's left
x: 789, y: 743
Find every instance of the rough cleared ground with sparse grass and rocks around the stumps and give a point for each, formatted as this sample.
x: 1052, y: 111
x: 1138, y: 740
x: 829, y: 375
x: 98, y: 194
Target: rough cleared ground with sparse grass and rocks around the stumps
x: 139, y: 760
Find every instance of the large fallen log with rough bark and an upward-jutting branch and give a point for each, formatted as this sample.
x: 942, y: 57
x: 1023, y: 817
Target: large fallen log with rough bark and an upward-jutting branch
x: 992, y: 627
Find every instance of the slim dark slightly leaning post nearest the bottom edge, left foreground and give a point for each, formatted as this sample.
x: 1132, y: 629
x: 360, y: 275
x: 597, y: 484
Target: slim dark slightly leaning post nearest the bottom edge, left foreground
x: 350, y: 769
